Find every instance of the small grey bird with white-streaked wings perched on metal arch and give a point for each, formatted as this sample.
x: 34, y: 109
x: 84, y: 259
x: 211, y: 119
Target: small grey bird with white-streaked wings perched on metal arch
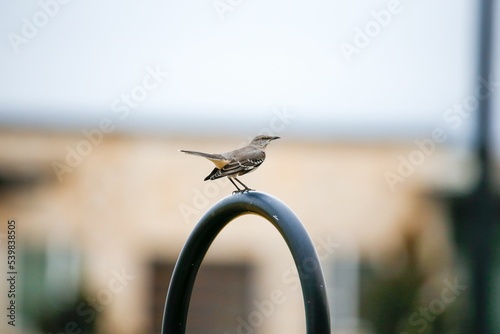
x: 237, y: 162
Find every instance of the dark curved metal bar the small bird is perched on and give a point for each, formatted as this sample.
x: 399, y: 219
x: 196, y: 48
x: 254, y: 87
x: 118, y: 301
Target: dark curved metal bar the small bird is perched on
x: 205, y: 232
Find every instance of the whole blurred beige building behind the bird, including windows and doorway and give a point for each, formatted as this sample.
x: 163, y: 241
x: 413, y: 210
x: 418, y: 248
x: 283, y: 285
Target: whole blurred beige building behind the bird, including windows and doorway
x: 101, y: 219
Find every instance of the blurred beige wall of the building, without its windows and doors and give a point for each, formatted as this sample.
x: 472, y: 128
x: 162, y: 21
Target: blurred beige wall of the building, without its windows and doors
x: 135, y: 198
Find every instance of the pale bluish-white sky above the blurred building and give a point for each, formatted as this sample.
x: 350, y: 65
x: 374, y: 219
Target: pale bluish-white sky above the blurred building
x: 353, y: 68
